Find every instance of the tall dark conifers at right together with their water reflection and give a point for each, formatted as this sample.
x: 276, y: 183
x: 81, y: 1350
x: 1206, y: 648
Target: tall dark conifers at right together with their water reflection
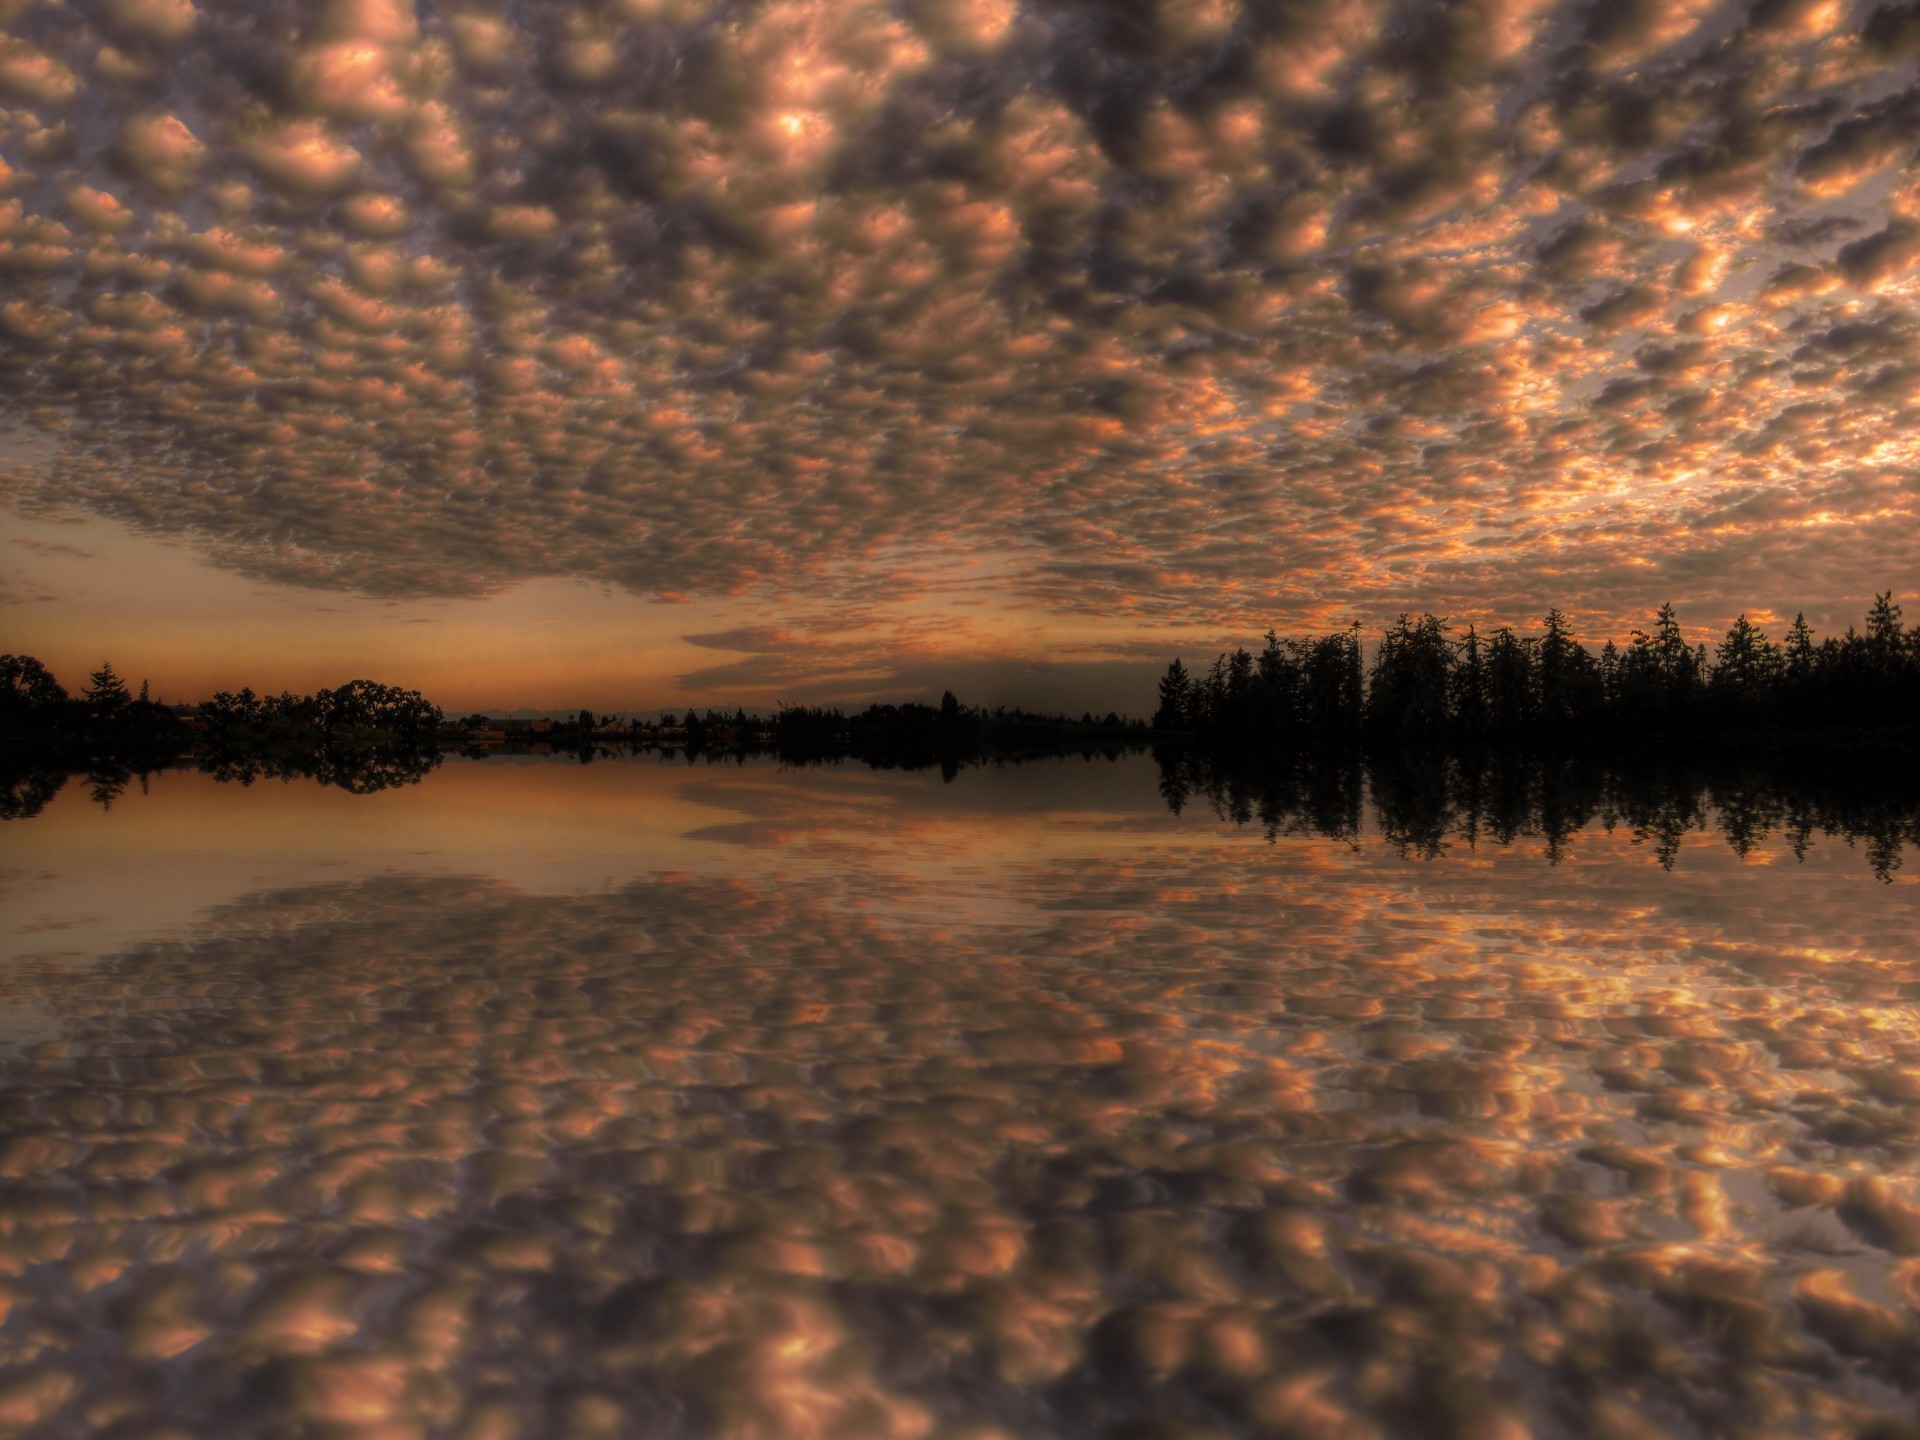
x: 1451, y: 738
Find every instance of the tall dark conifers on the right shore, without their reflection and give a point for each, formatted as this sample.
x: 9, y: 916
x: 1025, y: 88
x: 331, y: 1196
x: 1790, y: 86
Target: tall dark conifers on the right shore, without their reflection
x: 1431, y: 684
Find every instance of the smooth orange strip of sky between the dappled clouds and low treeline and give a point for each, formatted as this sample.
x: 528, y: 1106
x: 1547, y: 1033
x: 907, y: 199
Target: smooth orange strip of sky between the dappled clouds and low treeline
x: 84, y: 592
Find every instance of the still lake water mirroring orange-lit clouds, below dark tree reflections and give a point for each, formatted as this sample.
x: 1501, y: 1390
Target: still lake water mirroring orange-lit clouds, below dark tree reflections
x: 763, y: 1105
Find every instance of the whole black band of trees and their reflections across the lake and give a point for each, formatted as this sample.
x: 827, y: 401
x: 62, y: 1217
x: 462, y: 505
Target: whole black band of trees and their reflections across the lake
x: 1445, y: 738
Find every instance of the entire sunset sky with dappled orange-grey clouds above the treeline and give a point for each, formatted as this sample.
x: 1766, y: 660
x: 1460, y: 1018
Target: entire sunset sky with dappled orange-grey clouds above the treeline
x: 650, y: 352
